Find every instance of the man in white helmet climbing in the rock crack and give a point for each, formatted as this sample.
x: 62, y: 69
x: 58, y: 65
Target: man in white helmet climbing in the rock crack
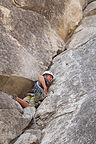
x: 38, y: 93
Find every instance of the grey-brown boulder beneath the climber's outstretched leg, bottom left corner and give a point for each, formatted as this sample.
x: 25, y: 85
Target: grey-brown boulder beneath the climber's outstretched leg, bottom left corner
x: 13, y: 119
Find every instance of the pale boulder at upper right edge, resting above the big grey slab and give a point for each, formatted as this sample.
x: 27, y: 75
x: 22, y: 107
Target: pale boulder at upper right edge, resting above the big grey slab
x: 86, y: 31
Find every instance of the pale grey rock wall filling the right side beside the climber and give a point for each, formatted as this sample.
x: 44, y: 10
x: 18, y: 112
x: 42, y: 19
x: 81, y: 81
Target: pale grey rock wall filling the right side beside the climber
x: 71, y: 117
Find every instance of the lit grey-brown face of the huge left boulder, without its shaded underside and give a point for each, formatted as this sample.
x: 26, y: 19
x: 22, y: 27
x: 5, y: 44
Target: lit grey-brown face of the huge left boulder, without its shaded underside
x: 31, y: 36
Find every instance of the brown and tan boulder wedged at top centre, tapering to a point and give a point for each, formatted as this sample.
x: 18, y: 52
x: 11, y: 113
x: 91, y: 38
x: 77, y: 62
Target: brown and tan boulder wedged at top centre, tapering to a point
x: 63, y: 16
